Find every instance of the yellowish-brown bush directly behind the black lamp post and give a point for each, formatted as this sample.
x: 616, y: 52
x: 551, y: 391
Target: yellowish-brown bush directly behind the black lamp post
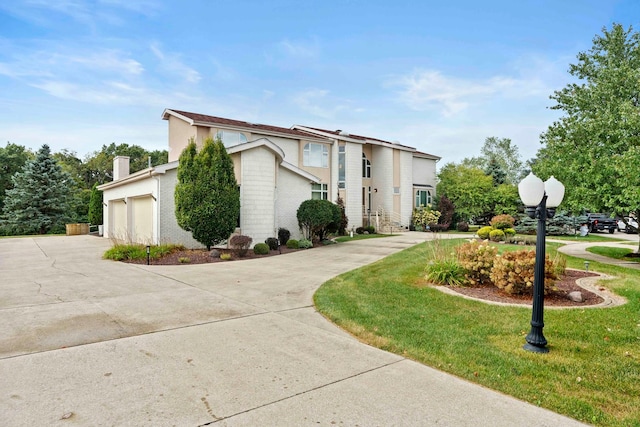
x: 513, y: 272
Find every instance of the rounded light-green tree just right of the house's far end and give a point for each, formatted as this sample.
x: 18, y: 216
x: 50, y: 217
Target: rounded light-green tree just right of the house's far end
x: 468, y: 188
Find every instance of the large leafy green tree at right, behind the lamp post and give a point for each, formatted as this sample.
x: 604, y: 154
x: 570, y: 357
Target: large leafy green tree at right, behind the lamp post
x: 593, y: 148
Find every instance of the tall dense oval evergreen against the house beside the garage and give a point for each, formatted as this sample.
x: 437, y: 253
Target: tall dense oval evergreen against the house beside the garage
x: 207, y: 196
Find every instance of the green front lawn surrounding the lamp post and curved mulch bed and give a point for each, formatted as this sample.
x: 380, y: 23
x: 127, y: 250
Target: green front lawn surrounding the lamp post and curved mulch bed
x: 592, y: 372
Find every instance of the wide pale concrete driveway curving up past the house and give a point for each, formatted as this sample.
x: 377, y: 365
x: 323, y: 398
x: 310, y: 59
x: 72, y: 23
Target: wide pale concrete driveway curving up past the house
x: 90, y: 342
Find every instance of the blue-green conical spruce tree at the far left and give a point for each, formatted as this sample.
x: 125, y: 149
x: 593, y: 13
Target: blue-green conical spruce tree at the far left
x: 39, y: 200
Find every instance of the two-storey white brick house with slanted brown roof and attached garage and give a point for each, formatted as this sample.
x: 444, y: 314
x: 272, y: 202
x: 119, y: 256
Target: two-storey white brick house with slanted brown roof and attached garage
x: 277, y: 169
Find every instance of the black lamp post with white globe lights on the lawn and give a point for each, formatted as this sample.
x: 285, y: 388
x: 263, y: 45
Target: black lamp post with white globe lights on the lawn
x: 540, y: 200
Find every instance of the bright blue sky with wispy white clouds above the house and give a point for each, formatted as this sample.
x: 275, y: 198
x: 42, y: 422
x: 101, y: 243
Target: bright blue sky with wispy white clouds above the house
x: 439, y: 76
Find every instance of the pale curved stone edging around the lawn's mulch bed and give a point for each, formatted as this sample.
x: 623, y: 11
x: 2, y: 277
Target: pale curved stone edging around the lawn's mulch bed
x: 587, y: 283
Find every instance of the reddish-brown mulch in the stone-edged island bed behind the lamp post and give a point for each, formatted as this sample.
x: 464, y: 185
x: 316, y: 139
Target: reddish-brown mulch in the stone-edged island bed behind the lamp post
x: 564, y: 285
